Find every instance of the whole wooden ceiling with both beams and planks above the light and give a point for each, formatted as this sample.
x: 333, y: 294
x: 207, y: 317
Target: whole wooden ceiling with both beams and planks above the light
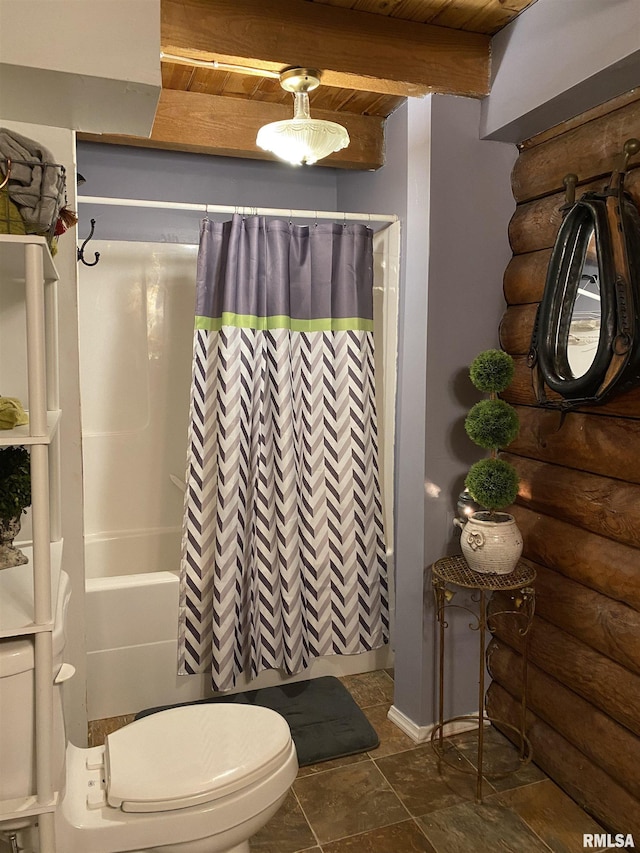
x: 373, y: 54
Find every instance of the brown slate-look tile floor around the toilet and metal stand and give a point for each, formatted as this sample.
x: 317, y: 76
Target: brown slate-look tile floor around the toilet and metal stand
x: 394, y: 800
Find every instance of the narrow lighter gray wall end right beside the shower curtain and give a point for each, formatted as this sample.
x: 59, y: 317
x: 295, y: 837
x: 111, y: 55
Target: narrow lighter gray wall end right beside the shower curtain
x: 404, y: 183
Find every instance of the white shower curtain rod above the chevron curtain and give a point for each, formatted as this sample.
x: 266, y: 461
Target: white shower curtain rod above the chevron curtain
x: 242, y: 209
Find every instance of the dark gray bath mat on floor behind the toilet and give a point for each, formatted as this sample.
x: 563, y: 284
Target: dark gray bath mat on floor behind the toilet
x: 325, y: 721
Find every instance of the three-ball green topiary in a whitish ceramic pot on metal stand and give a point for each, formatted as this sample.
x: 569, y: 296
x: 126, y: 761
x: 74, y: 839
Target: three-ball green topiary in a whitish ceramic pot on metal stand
x: 490, y: 539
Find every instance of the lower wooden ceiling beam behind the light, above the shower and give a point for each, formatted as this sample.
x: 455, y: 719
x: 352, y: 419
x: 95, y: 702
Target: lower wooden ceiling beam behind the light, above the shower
x: 212, y: 124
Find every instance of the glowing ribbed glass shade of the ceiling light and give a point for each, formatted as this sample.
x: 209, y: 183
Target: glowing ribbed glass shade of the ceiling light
x: 302, y: 140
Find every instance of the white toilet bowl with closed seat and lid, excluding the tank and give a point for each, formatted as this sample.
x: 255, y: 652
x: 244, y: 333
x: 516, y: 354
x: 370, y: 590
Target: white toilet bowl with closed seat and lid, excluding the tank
x: 238, y: 794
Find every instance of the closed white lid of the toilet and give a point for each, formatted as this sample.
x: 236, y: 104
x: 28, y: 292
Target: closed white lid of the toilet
x: 191, y: 755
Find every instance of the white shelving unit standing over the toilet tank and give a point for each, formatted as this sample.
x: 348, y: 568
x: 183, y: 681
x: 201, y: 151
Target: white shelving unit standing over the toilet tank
x: 28, y: 593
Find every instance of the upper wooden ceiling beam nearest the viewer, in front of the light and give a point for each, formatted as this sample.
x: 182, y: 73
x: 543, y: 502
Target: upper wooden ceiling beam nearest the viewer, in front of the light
x: 353, y: 49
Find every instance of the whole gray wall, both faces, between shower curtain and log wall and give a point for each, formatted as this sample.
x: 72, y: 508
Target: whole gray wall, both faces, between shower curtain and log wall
x: 453, y: 194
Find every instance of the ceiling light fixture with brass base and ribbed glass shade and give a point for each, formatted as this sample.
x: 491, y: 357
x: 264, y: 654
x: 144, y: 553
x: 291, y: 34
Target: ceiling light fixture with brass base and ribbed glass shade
x: 302, y: 139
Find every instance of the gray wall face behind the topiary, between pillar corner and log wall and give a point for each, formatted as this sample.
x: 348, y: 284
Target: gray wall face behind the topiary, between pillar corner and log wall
x: 471, y: 205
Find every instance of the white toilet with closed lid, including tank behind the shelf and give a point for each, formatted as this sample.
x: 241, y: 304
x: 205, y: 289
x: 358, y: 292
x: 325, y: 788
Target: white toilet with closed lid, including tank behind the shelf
x: 194, y: 779
